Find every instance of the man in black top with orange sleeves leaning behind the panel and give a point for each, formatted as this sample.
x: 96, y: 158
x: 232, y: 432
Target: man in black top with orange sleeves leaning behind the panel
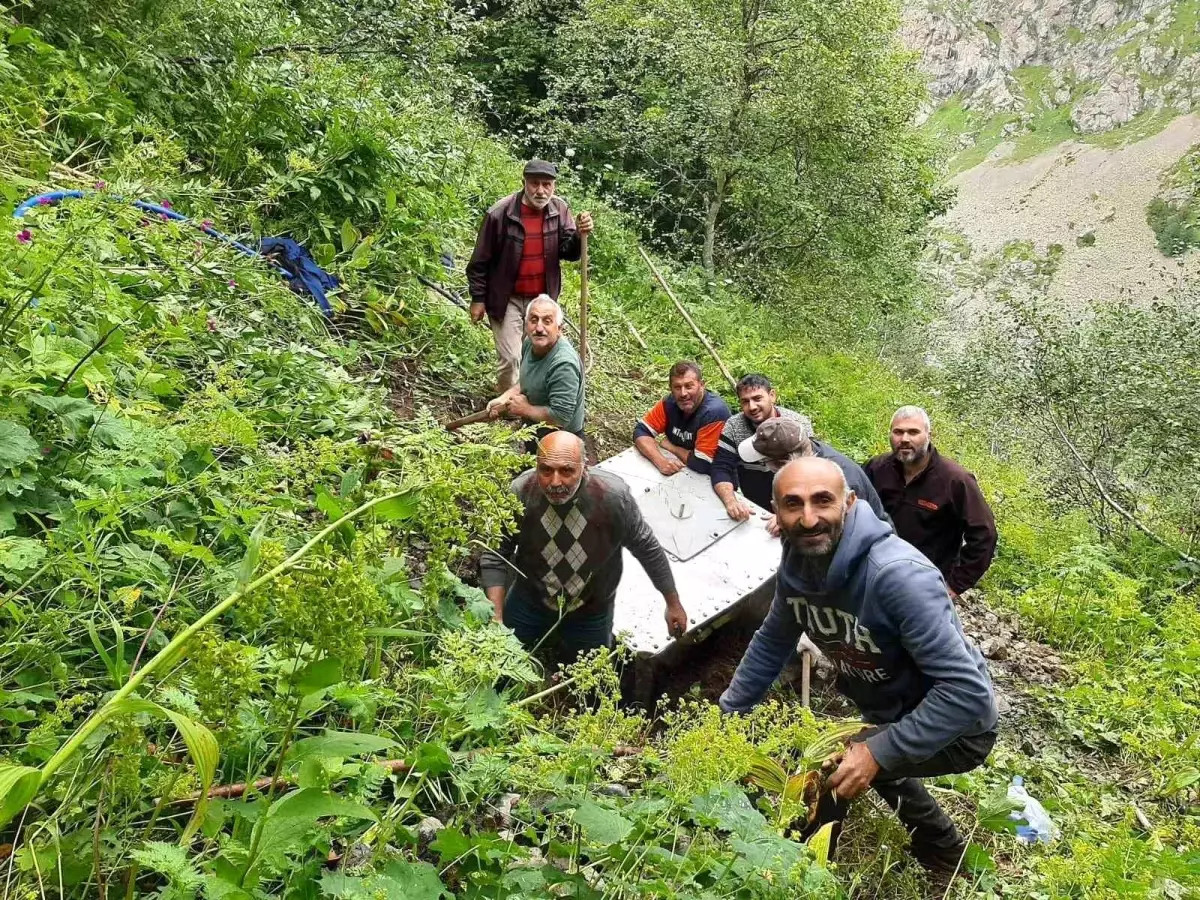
x: 689, y: 421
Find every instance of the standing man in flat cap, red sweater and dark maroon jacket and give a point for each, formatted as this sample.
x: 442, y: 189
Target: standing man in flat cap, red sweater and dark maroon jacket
x: 517, y: 259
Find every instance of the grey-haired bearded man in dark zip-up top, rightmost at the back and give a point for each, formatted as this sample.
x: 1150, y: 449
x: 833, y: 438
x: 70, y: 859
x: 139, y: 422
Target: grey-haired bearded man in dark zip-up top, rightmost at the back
x: 934, y: 502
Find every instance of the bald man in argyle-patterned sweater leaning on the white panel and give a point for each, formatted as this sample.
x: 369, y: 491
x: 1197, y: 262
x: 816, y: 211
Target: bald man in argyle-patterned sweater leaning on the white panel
x: 566, y: 557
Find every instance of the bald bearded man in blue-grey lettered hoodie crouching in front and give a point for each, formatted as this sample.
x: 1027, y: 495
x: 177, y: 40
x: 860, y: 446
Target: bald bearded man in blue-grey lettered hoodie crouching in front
x: 881, y: 614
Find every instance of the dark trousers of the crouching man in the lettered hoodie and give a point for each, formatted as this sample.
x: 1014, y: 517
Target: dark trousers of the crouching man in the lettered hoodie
x: 935, y: 841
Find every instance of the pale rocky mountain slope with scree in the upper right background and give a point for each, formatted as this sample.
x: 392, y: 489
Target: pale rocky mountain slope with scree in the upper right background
x: 1065, y: 123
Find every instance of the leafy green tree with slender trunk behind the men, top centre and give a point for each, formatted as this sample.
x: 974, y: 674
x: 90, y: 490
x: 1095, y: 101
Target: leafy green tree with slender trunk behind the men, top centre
x: 767, y: 131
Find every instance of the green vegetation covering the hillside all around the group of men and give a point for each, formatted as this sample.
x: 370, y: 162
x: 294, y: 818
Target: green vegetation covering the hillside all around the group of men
x: 177, y: 429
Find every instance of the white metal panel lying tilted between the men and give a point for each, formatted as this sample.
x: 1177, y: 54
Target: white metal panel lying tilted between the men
x: 722, y: 572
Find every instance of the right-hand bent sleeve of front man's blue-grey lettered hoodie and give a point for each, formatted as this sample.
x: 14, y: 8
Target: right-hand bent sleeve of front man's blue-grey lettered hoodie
x: 916, y: 601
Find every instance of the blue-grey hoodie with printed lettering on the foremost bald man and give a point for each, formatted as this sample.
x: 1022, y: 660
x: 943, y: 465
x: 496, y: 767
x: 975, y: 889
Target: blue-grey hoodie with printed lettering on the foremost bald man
x: 885, y: 620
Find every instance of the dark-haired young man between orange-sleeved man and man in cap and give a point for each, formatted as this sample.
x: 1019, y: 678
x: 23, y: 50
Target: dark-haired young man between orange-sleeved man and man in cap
x: 730, y: 471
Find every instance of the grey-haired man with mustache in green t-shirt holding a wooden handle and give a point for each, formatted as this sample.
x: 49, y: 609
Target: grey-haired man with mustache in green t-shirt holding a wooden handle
x: 550, y: 393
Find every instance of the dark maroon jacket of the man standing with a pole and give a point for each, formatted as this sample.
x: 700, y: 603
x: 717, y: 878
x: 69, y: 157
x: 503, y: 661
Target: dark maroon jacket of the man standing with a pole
x: 493, y: 271
